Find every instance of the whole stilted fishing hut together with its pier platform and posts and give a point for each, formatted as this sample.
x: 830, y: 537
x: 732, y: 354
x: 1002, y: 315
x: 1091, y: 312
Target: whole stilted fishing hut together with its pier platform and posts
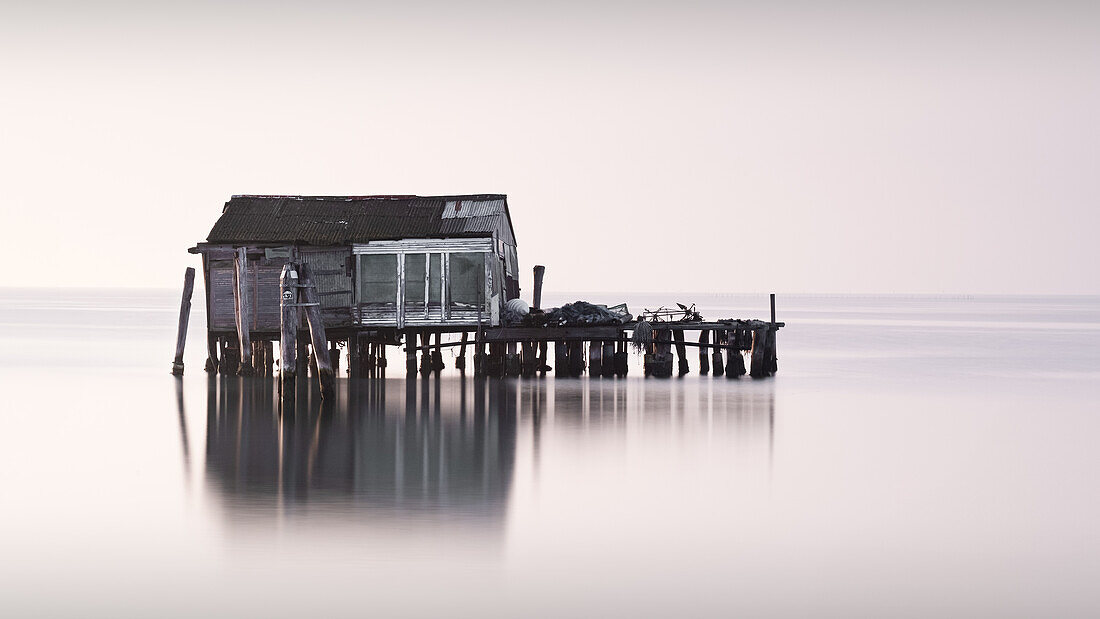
x: 364, y: 273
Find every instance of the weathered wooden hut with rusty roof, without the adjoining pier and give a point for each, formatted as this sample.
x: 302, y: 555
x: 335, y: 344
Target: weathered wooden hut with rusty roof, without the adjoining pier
x: 384, y: 271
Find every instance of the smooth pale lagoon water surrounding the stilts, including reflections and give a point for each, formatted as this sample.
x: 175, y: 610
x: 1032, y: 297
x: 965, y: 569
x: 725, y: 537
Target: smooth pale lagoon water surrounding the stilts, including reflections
x: 915, y: 457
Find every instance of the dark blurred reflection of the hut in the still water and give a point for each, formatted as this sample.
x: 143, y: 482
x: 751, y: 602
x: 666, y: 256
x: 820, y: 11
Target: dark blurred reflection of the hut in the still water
x: 404, y: 454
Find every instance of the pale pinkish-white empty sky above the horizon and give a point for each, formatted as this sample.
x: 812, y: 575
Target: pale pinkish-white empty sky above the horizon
x: 644, y: 147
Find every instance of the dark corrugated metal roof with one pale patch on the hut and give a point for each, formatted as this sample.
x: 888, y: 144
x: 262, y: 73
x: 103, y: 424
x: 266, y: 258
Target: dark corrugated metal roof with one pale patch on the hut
x: 326, y: 220
